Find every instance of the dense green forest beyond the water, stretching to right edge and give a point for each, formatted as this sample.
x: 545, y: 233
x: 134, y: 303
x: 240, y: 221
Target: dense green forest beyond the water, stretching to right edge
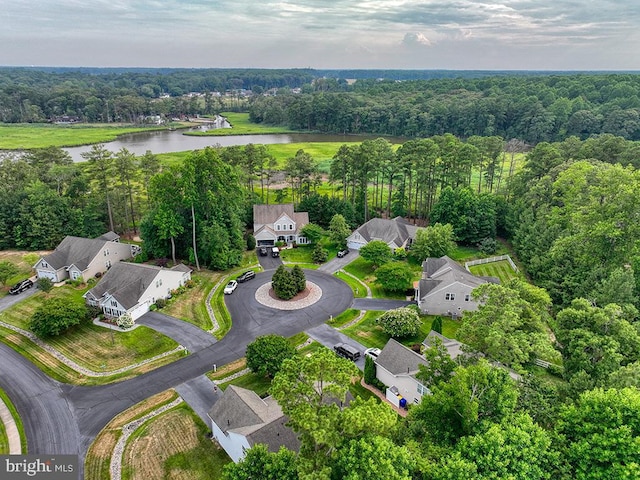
x: 531, y: 108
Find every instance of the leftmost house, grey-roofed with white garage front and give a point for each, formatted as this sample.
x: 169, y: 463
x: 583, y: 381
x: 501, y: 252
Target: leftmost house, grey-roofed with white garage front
x: 77, y: 257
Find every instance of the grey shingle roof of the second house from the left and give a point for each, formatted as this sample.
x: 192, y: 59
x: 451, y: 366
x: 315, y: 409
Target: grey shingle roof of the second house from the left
x: 126, y: 282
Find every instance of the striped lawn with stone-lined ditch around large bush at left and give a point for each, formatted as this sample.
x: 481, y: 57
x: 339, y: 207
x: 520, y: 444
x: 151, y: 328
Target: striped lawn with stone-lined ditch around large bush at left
x: 86, y: 354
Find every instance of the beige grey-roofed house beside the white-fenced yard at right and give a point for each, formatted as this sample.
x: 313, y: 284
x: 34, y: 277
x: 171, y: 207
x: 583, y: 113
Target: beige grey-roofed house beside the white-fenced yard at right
x: 445, y: 287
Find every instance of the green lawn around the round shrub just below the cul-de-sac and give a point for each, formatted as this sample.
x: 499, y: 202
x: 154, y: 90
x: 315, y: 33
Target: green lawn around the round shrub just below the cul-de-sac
x: 371, y: 335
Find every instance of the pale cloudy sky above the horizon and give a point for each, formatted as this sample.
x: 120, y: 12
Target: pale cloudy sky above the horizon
x: 323, y: 34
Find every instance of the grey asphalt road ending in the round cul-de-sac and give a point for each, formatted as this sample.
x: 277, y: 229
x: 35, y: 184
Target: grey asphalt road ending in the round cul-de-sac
x: 62, y: 418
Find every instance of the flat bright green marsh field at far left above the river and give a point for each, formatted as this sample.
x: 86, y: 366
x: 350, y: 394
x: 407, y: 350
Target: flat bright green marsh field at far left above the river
x: 18, y: 137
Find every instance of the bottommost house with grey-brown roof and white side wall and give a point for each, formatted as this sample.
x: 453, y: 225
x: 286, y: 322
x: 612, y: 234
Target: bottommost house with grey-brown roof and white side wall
x: 241, y: 419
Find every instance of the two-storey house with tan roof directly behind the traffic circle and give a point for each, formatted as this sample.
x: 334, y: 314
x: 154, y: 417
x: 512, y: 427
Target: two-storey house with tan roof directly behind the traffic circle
x: 278, y: 223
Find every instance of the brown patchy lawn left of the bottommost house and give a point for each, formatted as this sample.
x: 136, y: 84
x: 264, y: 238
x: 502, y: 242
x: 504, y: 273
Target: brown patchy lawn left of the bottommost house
x: 173, y: 445
